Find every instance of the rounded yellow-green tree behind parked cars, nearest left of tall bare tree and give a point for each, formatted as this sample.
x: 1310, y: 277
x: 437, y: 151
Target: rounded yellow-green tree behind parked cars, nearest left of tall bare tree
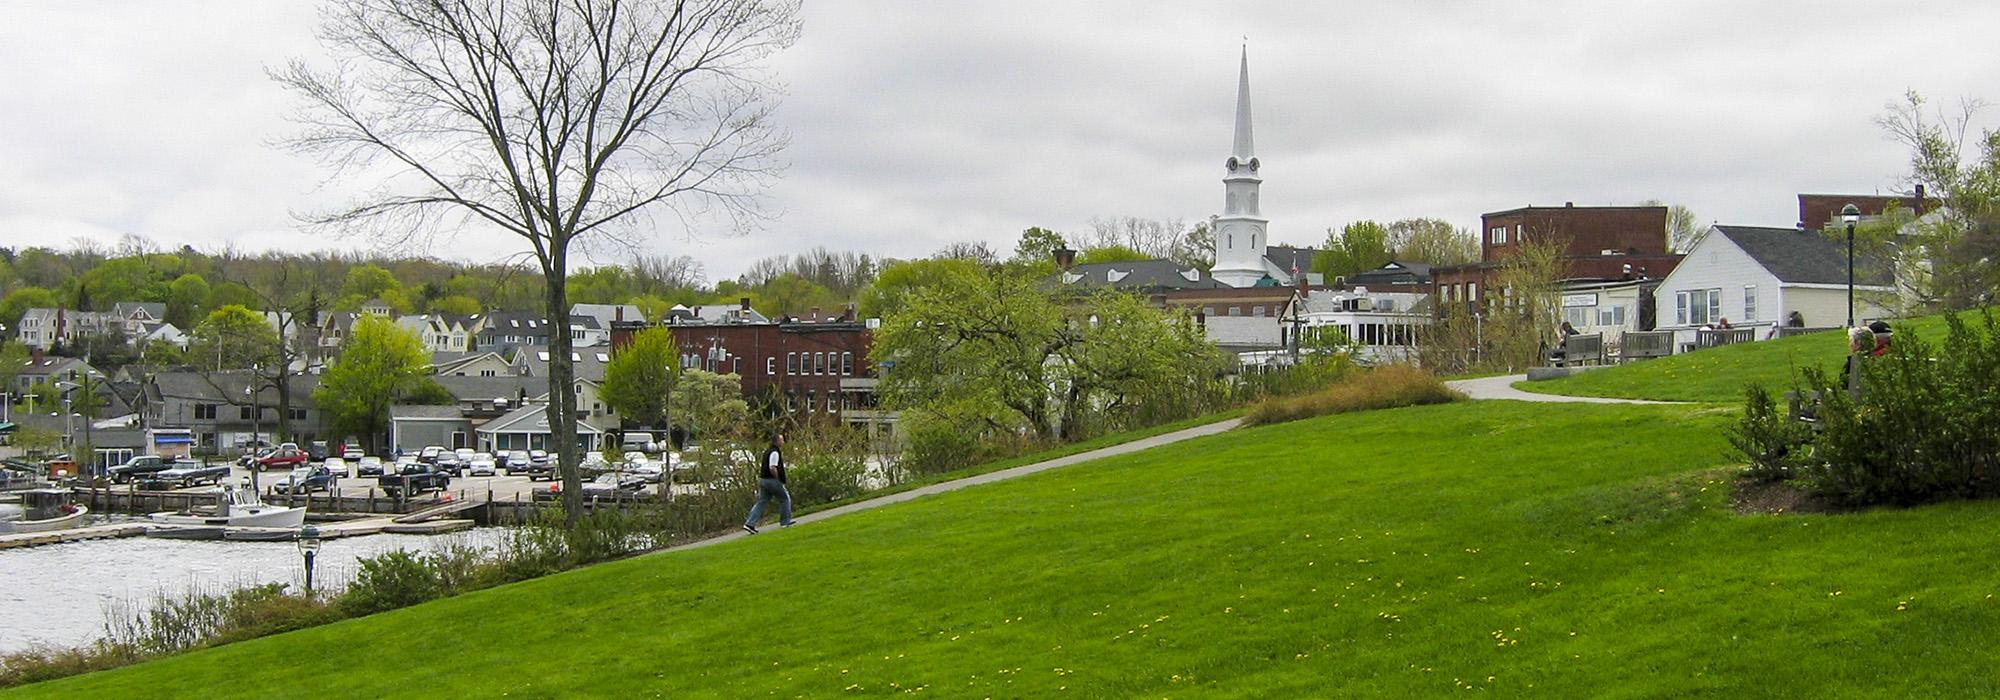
x: 379, y: 365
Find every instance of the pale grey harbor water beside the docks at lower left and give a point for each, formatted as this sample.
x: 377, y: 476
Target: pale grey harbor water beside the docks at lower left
x: 61, y: 595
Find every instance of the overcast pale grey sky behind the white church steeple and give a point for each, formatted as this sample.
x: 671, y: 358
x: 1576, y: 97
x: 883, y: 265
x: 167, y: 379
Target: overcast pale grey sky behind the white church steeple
x: 925, y: 123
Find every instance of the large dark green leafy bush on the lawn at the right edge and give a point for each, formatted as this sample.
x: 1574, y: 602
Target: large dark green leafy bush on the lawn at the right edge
x: 1925, y: 425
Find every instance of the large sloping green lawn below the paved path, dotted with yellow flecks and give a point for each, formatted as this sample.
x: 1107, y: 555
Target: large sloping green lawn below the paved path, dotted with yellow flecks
x: 1527, y: 549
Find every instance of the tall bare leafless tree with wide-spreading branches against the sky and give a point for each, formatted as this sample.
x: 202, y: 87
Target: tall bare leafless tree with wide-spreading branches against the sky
x: 565, y: 123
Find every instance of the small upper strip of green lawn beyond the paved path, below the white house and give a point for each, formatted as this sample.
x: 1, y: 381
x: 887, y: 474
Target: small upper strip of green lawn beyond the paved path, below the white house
x: 1719, y: 375
